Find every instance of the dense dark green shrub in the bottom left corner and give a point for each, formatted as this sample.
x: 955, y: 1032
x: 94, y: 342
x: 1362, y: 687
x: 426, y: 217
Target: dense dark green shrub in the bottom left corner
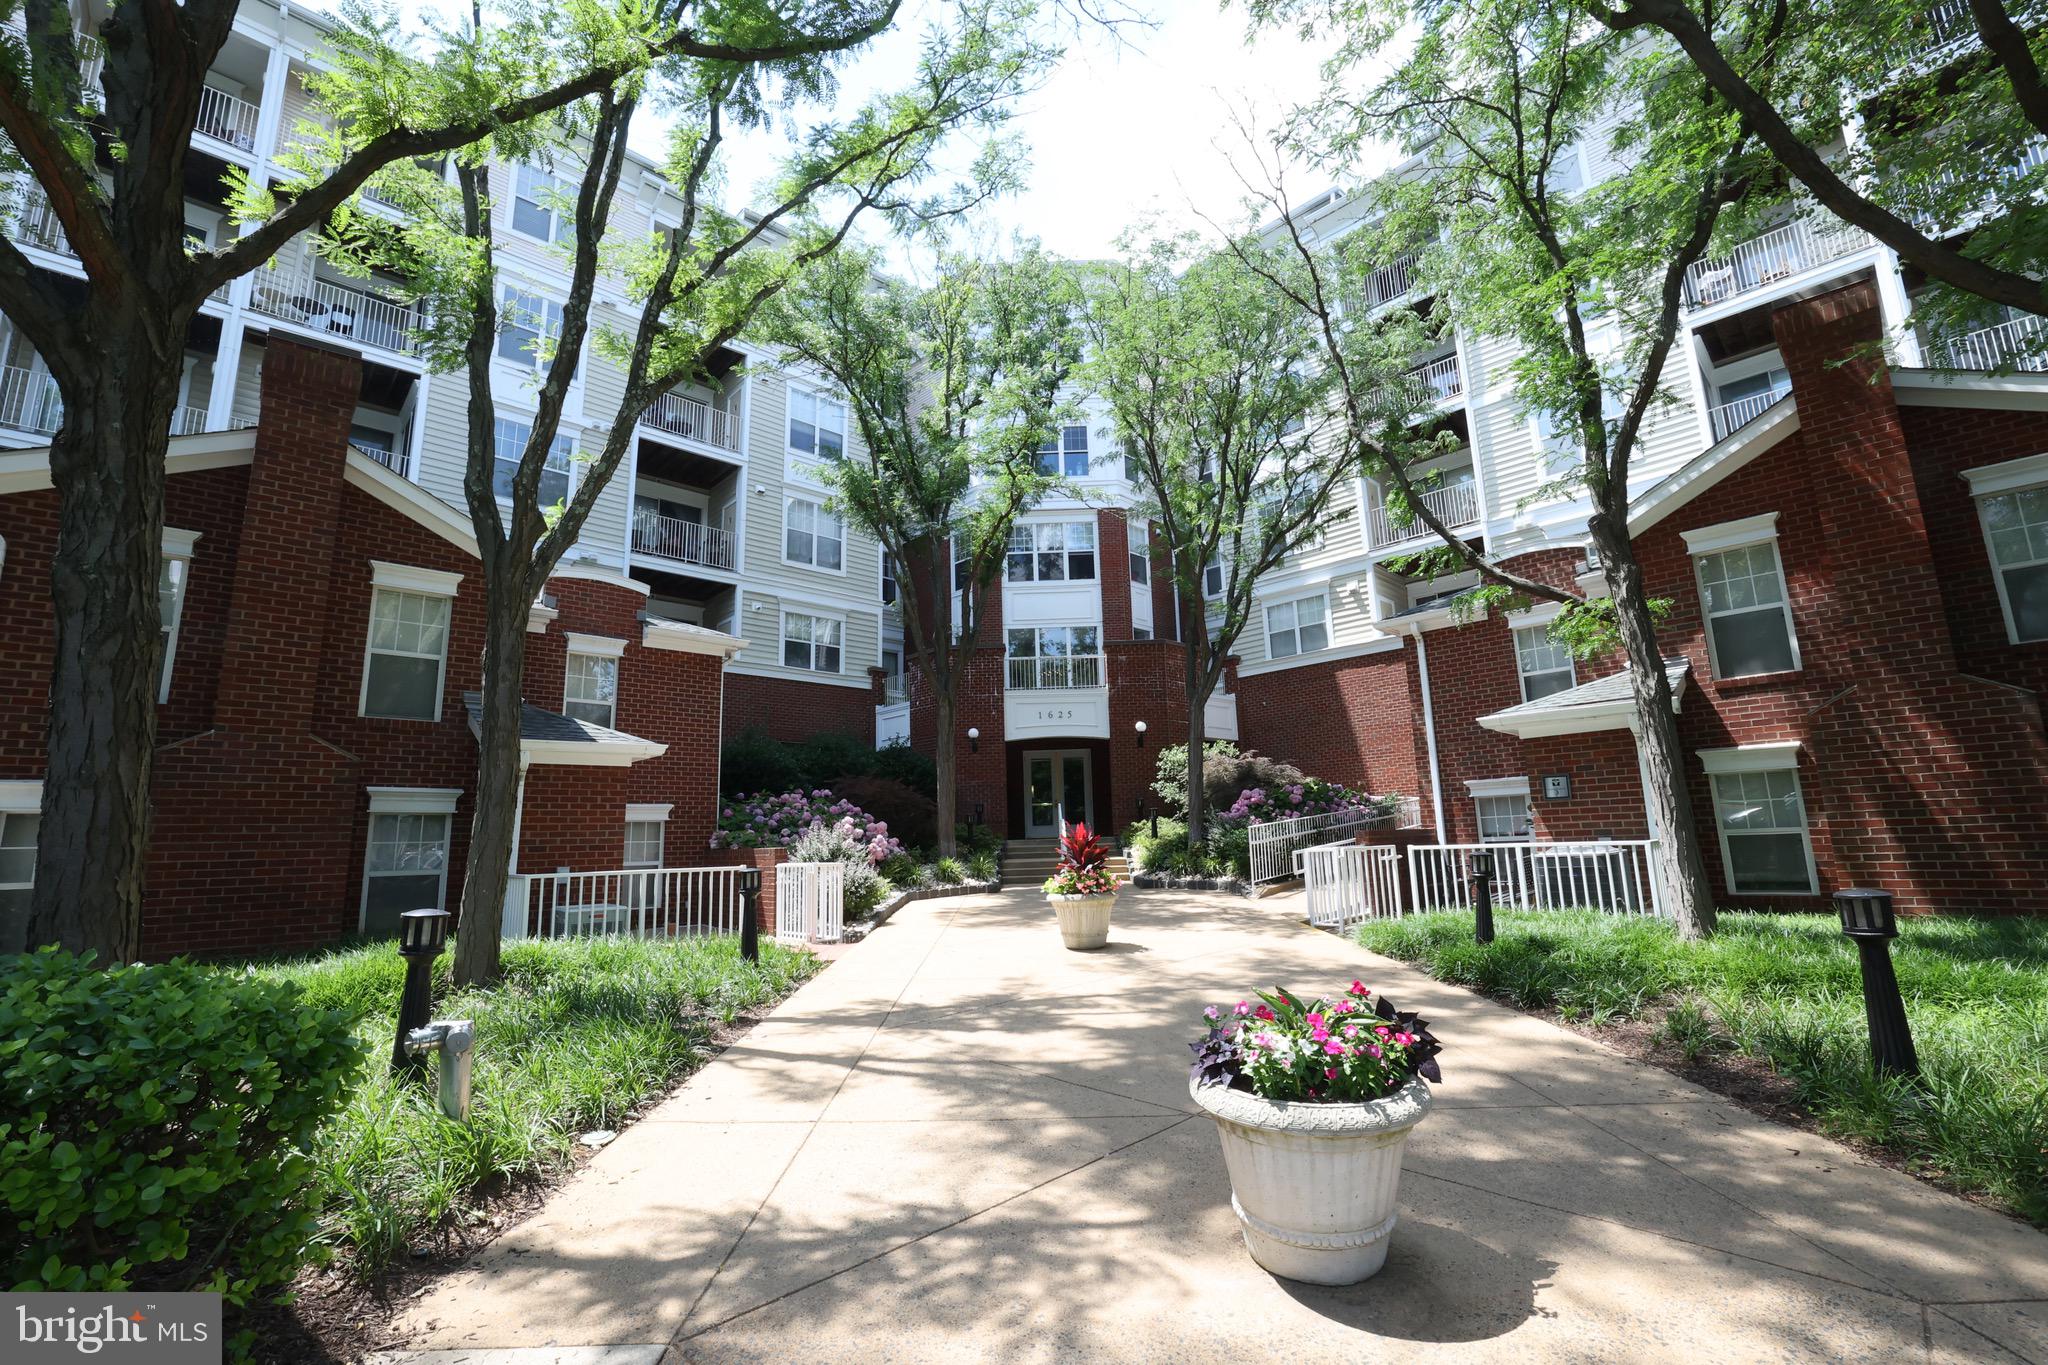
x: 155, y: 1125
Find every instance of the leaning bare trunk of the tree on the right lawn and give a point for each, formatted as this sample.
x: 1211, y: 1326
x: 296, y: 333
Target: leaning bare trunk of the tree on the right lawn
x: 1680, y: 867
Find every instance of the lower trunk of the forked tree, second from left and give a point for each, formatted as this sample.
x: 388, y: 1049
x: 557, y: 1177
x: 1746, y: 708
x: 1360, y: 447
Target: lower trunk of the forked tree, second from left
x: 499, y: 783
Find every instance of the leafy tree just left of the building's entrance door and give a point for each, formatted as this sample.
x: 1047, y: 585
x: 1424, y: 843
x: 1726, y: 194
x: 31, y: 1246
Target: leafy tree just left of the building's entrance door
x: 955, y: 388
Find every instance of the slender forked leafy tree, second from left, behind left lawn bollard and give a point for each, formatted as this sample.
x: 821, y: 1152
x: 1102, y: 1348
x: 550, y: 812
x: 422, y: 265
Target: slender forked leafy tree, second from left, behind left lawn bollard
x: 695, y: 290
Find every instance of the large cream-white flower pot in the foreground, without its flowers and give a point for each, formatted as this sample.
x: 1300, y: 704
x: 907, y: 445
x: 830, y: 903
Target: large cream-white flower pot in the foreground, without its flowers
x: 1316, y: 1186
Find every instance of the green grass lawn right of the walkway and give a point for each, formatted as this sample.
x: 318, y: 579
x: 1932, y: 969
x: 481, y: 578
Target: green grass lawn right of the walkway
x: 1787, y: 987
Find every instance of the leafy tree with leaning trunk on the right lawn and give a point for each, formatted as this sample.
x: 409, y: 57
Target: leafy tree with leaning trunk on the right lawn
x: 1584, y: 281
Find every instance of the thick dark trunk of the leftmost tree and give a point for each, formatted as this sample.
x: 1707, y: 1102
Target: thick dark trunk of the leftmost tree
x: 108, y: 468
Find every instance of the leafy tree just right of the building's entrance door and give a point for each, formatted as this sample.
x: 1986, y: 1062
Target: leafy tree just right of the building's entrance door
x: 1222, y: 410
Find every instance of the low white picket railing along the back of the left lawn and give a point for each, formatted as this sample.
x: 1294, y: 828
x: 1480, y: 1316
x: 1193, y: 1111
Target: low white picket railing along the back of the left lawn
x: 634, y: 904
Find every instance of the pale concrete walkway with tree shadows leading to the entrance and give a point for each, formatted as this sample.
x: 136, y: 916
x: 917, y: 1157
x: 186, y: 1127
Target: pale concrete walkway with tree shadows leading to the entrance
x: 968, y: 1145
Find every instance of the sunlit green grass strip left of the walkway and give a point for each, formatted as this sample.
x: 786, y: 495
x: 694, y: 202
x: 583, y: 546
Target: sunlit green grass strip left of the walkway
x: 570, y: 1041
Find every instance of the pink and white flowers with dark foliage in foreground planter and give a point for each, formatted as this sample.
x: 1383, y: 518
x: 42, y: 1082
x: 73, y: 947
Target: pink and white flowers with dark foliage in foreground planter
x: 1347, y: 1051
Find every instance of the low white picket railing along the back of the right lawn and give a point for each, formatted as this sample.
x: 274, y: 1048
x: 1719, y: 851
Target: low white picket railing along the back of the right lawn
x: 1607, y: 875
